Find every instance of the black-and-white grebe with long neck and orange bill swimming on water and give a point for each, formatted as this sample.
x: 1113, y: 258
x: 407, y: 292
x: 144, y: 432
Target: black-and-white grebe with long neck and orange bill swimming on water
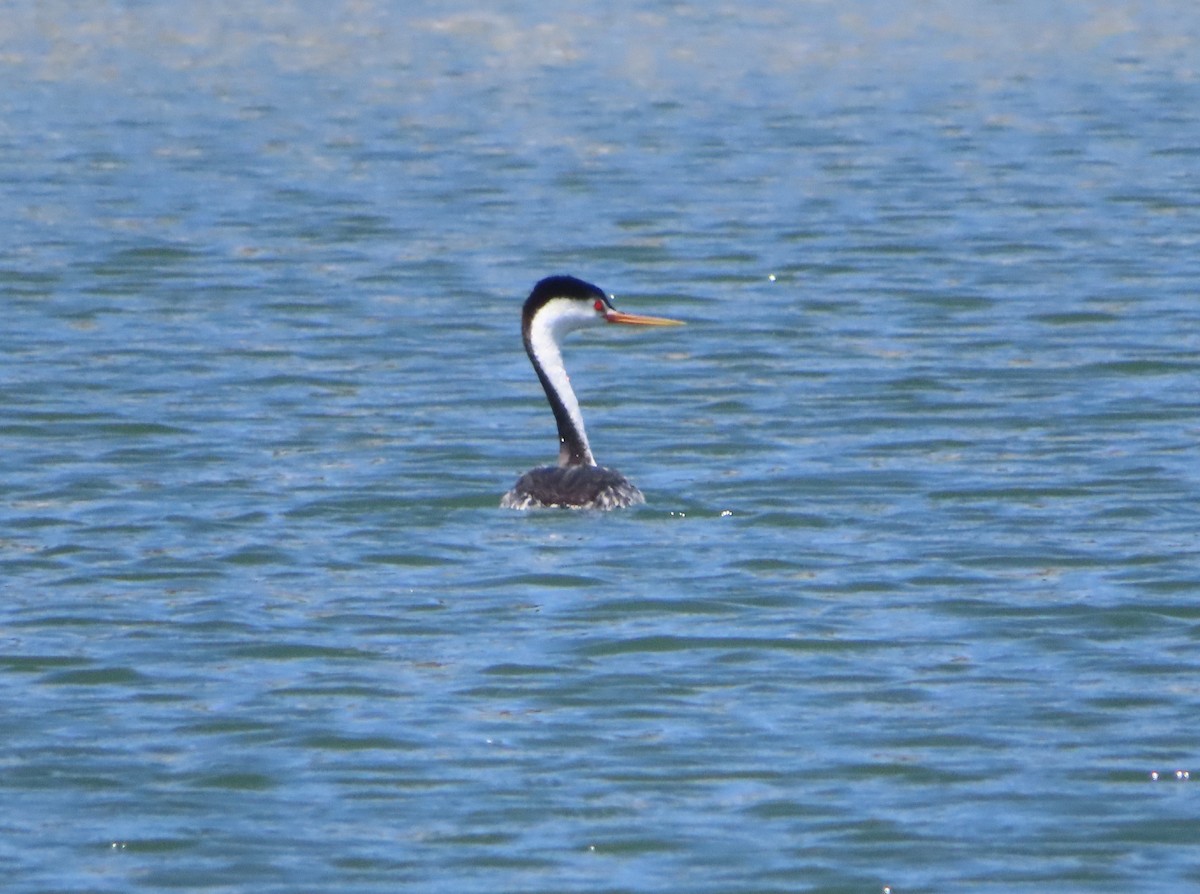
x: 557, y: 307
